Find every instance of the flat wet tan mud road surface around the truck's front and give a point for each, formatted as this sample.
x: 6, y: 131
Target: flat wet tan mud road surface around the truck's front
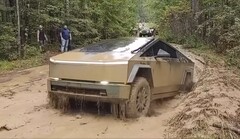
x: 25, y: 113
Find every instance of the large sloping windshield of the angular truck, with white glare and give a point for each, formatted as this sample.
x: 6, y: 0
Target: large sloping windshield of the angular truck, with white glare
x: 116, y: 45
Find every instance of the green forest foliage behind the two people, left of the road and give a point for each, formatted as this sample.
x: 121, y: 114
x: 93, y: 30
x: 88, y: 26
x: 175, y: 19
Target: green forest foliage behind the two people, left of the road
x: 89, y: 21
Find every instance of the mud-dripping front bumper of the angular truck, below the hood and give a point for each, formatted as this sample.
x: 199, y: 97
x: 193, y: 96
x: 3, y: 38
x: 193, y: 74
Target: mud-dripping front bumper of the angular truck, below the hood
x: 114, y: 93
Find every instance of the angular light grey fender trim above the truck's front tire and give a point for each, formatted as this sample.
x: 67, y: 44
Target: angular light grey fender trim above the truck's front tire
x: 135, y: 70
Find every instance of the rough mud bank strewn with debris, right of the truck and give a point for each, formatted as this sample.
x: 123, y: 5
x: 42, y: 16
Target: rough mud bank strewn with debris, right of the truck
x: 215, y: 101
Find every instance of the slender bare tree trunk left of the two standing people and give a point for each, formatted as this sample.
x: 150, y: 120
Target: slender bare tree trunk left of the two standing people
x: 19, y: 29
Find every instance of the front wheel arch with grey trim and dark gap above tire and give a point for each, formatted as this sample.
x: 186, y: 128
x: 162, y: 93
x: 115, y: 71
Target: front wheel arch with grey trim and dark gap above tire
x: 139, y: 70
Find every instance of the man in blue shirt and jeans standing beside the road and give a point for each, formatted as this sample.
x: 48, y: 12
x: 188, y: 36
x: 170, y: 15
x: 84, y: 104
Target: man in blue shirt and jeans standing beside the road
x: 66, y: 36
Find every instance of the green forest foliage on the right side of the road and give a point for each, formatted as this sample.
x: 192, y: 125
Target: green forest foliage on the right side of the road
x: 213, y: 22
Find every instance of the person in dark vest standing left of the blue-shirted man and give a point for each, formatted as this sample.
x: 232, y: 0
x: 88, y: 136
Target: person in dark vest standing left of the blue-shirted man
x: 41, y: 37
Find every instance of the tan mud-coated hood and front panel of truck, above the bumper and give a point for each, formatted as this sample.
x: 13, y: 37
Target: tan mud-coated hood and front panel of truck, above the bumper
x: 95, y: 67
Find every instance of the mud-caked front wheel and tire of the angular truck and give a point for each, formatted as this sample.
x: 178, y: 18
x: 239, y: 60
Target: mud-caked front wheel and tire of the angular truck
x: 140, y: 99
